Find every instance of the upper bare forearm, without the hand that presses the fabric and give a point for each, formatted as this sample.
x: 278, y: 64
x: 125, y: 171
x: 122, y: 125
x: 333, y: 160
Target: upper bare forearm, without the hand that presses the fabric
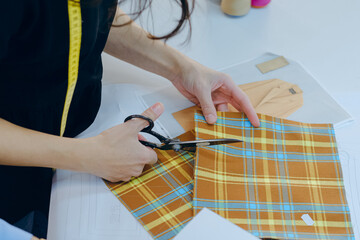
x: 131, y: 44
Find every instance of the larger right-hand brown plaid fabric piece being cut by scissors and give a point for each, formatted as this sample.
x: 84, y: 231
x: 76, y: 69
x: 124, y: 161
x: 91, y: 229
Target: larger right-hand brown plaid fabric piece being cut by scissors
x: 282, y: 170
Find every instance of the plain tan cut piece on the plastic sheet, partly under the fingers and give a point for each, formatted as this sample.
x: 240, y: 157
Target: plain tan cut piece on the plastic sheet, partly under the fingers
x: 272, y: 97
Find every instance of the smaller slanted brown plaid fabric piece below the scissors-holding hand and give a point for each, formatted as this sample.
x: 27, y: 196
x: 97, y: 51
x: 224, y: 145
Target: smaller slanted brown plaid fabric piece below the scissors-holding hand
x: 161, y: 198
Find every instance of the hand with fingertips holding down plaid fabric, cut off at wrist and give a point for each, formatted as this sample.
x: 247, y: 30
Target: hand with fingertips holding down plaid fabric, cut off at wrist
x: 212, y: 91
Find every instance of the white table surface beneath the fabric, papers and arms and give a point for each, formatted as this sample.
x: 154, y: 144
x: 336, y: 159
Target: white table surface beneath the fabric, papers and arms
x: 323, y: 36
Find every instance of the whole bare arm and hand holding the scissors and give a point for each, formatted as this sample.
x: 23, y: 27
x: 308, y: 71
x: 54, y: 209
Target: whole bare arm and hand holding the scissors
x: 115, y: 154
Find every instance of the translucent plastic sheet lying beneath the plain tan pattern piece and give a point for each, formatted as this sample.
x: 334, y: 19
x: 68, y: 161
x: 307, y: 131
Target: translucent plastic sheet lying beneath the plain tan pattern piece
x: 319, y: 106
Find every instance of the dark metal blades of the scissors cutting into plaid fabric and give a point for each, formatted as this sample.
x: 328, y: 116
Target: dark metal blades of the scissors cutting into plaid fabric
x: 177, y: 145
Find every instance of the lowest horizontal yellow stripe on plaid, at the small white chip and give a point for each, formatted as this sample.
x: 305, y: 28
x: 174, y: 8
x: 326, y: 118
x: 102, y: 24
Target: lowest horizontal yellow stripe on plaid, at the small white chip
x: 332, y: 224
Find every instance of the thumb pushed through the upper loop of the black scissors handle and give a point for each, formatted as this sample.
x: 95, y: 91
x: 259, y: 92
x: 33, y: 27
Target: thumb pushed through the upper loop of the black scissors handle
x: 152, y: 112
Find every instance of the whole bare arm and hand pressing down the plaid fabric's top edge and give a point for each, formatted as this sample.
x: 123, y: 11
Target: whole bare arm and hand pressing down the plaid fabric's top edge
x: 203, y: 86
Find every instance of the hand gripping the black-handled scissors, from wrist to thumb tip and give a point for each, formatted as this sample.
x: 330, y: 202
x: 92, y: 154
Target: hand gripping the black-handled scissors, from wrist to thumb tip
x: 116, y: 154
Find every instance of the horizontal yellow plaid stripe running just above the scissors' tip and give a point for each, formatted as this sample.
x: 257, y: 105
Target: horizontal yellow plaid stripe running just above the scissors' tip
x: 305, y: 143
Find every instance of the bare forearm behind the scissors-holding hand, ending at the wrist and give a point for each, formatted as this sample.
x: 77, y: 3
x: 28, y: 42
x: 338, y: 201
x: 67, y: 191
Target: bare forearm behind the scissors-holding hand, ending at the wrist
x: 24, y: 147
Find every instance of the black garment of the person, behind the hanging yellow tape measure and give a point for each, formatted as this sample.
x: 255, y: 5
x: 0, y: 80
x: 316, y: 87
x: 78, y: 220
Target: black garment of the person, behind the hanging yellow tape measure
x: 34, y: 50
